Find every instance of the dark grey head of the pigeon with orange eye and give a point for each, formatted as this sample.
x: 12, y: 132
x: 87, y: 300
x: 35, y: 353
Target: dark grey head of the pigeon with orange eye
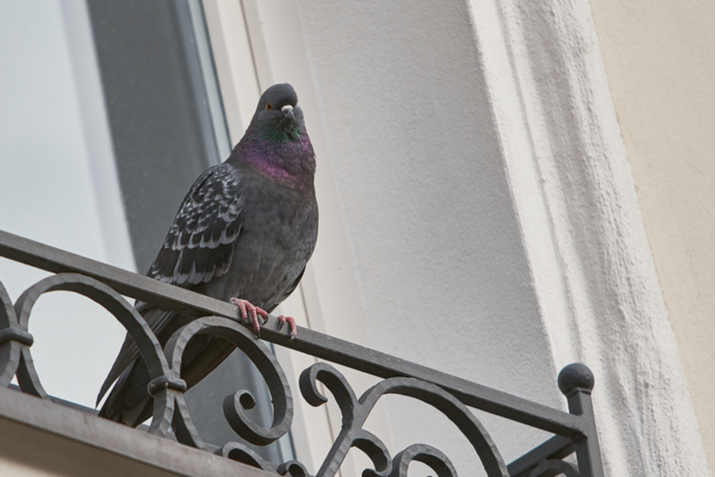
x: 277, y: 114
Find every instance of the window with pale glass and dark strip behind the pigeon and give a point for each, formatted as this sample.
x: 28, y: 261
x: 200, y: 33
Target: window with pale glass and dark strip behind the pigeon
x: 129, y: 94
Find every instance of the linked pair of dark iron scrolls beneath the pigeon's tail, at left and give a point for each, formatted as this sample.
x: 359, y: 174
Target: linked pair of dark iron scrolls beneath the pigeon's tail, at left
x: 166, y: 386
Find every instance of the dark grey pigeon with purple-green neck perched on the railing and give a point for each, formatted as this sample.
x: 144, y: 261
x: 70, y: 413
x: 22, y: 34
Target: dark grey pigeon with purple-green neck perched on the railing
x: 243, y: 234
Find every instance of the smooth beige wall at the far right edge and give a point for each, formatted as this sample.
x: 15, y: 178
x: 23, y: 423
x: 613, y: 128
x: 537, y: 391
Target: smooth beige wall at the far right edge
x: 659, y: 59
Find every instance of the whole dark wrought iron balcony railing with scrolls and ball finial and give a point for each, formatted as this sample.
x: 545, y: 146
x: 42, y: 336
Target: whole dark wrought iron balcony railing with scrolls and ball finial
x: 573, y: 432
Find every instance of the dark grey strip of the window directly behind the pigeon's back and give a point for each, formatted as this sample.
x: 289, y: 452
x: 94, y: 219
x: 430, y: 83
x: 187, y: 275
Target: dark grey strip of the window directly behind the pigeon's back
x: 163, y: 139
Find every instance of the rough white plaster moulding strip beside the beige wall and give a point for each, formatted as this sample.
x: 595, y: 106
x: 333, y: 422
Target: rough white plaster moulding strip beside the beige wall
x: 594, y: 272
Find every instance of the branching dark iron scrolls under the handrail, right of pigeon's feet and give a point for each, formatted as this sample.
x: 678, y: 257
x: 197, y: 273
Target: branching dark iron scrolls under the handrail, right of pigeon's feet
x: 355, y: 412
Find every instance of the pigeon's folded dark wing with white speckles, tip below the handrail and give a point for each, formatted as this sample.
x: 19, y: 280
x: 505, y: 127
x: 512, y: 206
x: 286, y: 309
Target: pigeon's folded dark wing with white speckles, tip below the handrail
x: 199, y: 247
